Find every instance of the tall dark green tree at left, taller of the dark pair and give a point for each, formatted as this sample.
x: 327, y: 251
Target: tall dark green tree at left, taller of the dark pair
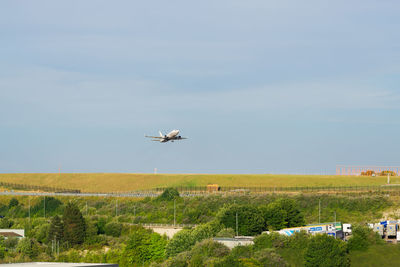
x: 74, y: 225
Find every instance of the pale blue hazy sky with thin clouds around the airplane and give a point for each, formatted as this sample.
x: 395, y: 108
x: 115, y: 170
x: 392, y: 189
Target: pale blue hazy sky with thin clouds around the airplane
x: 257, y: 86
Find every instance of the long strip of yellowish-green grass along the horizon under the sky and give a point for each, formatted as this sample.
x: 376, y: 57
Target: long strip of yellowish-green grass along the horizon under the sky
x: 112, y: 182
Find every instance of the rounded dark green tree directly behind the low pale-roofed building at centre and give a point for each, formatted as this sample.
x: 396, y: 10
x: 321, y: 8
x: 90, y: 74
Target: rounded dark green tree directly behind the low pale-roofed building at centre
x: 249, y: 219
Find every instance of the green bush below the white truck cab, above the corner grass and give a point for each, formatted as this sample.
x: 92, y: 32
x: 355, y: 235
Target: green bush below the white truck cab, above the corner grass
x: 362, y: 237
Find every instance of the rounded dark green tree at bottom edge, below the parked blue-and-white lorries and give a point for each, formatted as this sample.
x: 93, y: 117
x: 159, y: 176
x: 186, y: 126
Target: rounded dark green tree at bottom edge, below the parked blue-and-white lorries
x: 326, y: 251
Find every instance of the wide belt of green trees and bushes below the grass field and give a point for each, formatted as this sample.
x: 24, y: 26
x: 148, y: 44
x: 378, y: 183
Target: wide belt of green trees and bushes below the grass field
x: 73, y: 232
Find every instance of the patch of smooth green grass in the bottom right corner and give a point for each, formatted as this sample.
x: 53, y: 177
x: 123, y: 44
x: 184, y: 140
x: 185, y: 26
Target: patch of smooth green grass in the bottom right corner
x: 384, y: 255
